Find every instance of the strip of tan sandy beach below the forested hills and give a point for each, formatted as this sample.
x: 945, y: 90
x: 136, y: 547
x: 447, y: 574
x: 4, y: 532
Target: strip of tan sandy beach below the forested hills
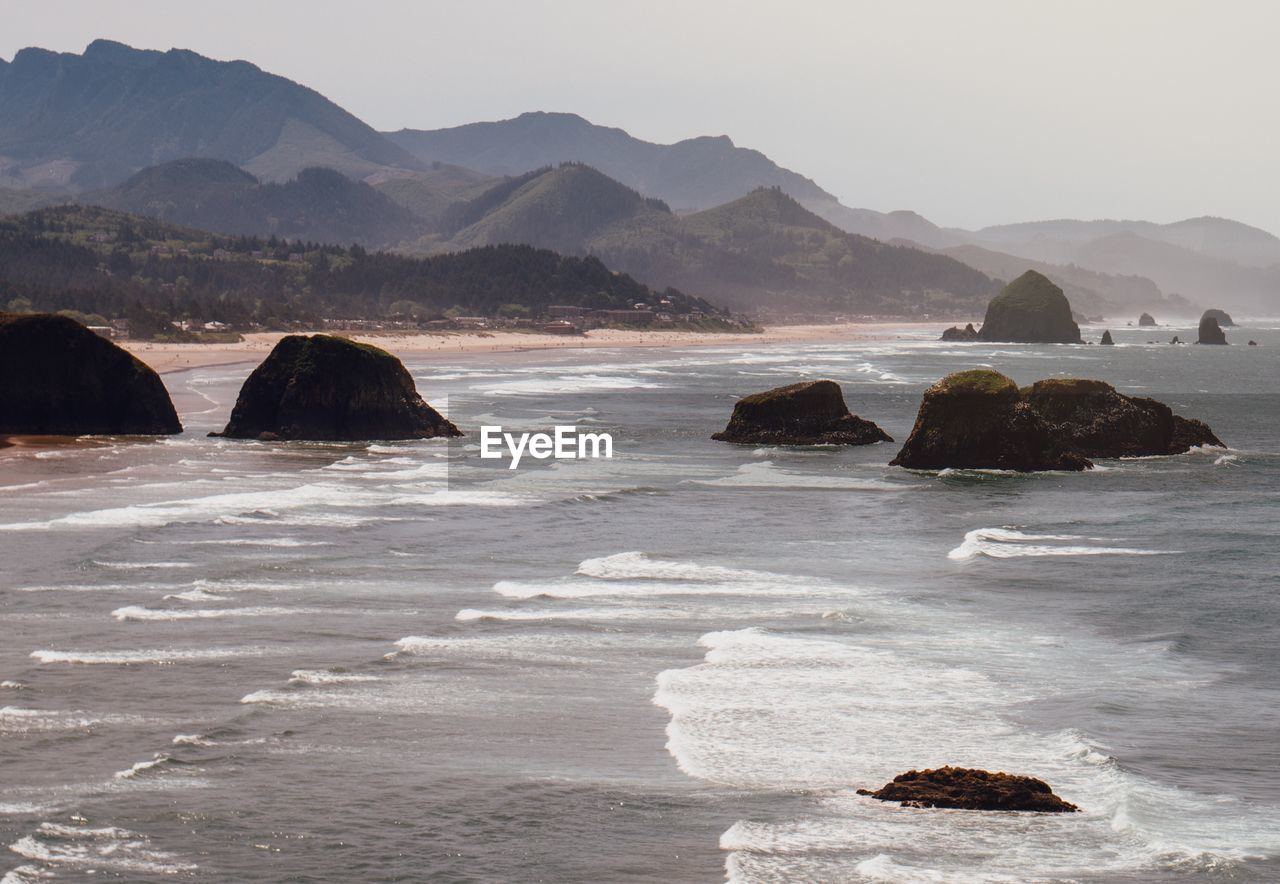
x: 181, y: 358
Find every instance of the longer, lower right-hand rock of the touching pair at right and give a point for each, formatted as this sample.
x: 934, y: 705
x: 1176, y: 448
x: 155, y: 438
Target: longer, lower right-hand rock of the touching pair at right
x: 1092, y: 419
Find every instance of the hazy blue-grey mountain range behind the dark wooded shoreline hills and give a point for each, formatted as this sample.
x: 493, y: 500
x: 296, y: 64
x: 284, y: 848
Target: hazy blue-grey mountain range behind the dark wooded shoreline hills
x: 108, y: 126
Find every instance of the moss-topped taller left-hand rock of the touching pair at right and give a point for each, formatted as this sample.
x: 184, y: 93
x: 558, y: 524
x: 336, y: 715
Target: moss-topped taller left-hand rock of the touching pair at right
x: 979, y: 420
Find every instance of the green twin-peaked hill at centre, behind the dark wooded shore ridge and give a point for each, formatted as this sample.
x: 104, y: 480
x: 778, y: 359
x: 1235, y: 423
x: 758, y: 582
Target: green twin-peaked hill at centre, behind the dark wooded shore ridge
x: 761, y: 251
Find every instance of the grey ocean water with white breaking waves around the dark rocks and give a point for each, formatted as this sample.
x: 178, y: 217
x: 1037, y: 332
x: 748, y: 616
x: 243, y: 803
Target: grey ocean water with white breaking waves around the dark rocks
x: 239, y: 661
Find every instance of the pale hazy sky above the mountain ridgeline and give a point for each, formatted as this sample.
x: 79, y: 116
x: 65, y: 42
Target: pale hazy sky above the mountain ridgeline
x: 971, y: 113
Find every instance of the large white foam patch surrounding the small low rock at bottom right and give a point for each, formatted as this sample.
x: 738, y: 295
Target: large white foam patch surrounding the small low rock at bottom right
x: 776, y: 712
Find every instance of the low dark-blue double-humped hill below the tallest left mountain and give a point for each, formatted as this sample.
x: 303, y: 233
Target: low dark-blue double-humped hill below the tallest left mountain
x: 321, y: 205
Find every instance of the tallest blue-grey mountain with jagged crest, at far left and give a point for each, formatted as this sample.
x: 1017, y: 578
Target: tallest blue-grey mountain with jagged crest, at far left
x: 84, y: 122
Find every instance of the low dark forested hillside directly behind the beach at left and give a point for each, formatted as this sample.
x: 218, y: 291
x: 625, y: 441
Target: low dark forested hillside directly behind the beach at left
x: 102, y: 262
